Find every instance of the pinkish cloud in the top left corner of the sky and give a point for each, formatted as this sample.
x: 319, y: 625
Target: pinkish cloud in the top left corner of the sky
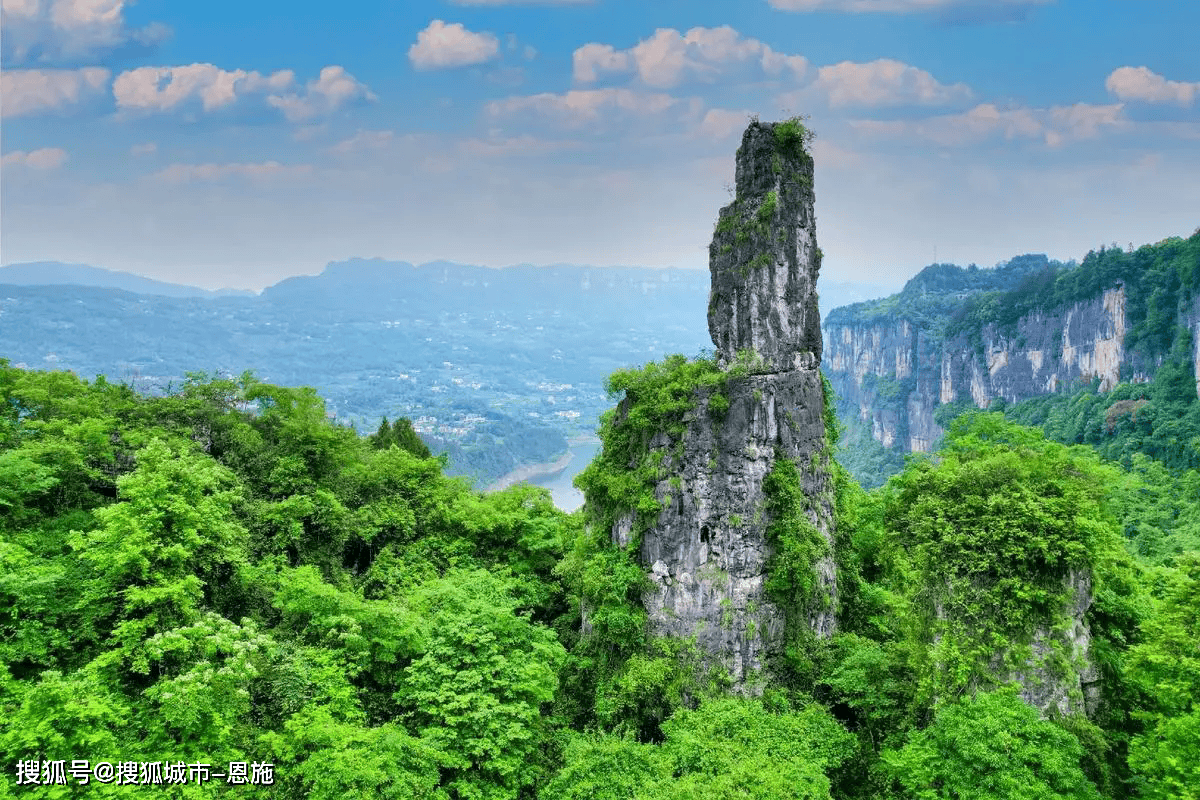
x: 56, y: 31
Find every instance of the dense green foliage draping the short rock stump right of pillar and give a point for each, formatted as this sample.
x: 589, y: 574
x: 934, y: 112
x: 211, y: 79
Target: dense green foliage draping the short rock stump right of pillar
x: 988, y: 542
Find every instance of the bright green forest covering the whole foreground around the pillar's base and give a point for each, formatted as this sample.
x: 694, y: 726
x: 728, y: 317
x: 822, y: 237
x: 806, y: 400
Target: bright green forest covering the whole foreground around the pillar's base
x: 225, y: 578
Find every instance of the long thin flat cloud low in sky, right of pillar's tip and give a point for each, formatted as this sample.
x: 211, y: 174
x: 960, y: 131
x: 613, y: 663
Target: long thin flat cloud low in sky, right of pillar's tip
x: 1054, y: 127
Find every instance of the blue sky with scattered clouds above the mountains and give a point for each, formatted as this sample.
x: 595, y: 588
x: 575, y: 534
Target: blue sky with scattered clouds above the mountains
x: 233, y: 145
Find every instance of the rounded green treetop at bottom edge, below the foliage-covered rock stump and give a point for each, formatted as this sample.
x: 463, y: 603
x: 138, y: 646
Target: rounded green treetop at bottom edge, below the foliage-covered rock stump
x: 991, y: 747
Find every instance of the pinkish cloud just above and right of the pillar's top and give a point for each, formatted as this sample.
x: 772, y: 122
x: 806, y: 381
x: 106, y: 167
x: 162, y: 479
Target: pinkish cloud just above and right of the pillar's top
x: 885, y: 82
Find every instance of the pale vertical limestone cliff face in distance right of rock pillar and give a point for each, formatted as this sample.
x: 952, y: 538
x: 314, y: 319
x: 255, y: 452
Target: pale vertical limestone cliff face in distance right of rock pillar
x: 892, y: 363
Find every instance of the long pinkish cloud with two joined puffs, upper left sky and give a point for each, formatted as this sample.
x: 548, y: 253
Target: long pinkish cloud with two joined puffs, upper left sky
x: 165, y: 89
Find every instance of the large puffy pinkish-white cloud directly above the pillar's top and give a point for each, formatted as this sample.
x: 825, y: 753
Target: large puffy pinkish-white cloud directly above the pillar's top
x: 669, y: 58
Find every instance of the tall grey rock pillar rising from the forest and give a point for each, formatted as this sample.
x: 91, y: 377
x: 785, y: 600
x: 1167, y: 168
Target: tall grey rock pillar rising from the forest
x: 709, y: 552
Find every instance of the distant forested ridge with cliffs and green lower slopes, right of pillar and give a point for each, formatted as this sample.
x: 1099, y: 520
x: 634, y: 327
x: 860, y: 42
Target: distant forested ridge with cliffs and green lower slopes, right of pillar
x: 1150, y: 402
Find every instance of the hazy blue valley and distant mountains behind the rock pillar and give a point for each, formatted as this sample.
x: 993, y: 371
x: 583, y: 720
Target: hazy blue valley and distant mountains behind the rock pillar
x: 496, y: 366
